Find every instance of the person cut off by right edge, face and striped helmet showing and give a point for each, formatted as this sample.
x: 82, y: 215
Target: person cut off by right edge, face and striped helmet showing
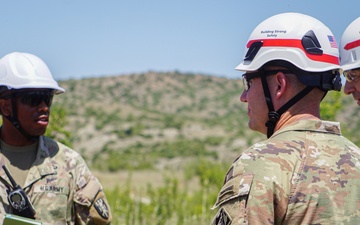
x: 349, y: 58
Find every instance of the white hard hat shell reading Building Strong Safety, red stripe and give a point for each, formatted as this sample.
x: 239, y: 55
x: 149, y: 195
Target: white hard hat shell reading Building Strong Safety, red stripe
x: 294, y: 37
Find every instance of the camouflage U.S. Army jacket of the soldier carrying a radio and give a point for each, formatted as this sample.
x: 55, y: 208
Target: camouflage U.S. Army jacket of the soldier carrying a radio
x: 61, y: 188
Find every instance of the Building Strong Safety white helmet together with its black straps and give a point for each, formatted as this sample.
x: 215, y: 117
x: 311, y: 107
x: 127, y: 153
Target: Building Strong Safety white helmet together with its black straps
x: 300, y: 45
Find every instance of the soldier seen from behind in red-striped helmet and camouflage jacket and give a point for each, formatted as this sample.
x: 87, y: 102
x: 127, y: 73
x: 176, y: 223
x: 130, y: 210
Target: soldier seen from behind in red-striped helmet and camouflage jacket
x: 306, y: 172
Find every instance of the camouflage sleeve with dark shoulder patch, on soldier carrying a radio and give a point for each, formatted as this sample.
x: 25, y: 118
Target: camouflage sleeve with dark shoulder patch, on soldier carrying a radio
x: 91, y: 205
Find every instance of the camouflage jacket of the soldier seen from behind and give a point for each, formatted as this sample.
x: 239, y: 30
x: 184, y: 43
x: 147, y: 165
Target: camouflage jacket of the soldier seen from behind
x: 306, y: 173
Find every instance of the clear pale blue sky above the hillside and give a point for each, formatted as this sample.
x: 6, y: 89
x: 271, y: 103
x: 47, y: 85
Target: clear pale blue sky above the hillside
x: 88, y: 38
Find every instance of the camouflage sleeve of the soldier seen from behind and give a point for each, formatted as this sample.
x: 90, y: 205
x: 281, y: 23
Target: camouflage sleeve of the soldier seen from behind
x: 254, y: 192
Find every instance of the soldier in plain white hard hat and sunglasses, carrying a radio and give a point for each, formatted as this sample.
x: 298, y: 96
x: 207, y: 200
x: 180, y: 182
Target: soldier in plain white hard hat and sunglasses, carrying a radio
x: 55, y: 178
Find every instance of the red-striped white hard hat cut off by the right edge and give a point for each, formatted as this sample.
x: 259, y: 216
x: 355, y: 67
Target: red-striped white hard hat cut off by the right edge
x: 350, y: 46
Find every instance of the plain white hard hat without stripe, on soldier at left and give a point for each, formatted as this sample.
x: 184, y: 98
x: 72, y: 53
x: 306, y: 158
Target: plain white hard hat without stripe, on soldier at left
x: 23, y: 70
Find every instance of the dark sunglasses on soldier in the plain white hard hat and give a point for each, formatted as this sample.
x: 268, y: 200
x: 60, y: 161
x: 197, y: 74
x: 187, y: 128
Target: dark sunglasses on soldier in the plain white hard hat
x: 35, y: 98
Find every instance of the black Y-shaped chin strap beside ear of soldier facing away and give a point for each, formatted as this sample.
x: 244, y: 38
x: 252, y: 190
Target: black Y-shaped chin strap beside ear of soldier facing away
x: 274, y: 116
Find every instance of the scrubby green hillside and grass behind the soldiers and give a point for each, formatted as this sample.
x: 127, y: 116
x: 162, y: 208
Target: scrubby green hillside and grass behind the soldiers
x: 161, y: 142
